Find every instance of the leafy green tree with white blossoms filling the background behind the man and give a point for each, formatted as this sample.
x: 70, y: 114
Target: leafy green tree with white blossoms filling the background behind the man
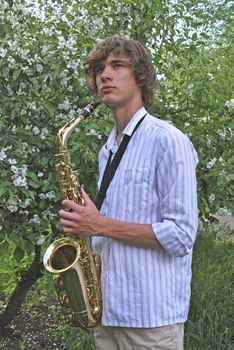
x: 42, y: 47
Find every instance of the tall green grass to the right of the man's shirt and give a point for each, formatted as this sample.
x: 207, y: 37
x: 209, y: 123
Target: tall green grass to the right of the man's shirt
x: 210, y: 324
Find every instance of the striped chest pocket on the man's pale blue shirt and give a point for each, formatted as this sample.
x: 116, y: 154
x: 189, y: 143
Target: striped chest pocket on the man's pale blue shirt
x: 135, y: 189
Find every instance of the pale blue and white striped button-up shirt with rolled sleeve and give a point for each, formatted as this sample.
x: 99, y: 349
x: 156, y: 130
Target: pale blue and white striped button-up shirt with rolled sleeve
x: 155, y: 184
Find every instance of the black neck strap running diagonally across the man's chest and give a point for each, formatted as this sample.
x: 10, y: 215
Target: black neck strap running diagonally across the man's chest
x: 112, y: 166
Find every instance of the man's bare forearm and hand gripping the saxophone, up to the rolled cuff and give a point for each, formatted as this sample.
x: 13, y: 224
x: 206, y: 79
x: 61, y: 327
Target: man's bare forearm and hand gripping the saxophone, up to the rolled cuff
x: 86, y: 220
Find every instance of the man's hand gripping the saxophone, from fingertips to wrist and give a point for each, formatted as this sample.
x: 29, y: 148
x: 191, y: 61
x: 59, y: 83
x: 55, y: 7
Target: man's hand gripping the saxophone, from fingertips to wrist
x: 83, y: 220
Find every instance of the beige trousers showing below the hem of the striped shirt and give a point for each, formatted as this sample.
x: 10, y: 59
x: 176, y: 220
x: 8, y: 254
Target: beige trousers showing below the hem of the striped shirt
x: 121, y: 338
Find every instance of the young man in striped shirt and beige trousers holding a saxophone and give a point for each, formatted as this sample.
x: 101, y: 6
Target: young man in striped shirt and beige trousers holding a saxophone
x: 147, y: 225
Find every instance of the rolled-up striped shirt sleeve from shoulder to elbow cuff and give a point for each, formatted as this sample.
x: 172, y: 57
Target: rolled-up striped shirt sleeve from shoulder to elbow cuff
x: 176, y: 186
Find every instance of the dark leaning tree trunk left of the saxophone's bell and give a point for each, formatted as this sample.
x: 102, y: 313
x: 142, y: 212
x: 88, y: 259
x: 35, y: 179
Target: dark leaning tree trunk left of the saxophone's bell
x: 28, y: 279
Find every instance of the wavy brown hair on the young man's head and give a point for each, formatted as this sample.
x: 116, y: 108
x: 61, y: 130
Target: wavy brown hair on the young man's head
x: 140, y: 62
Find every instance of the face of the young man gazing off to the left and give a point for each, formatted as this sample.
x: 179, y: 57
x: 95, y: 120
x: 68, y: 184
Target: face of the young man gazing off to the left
x: 116, y: 83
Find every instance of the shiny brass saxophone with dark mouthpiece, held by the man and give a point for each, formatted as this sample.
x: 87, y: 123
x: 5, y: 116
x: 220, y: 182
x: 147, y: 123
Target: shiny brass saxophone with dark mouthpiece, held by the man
x: 72, y: 261
